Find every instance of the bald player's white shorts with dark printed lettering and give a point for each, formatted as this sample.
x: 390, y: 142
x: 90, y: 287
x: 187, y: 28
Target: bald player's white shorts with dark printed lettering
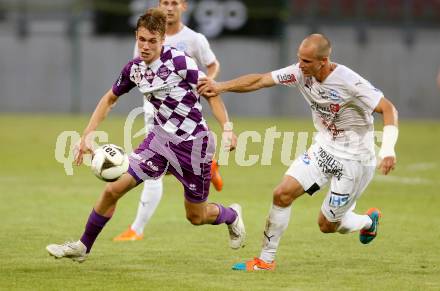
x: 348, y: 179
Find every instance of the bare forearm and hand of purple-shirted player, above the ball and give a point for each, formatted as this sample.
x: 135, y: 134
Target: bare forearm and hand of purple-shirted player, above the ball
x: 102, y: 109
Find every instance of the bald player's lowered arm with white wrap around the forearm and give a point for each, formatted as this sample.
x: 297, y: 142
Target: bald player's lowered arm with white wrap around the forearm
x: 390, y: 134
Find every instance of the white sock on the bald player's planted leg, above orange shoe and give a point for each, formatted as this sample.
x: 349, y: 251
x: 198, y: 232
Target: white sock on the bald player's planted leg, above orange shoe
x: 276, y: 224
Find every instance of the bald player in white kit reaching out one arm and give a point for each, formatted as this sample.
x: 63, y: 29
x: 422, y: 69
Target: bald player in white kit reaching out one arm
x: 342, y: 104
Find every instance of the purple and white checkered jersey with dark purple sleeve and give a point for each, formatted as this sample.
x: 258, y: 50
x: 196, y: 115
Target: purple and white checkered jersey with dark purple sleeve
x: 170, y: 84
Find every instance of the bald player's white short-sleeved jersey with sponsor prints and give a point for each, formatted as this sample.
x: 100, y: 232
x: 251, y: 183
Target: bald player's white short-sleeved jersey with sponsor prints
x: 342, y: 107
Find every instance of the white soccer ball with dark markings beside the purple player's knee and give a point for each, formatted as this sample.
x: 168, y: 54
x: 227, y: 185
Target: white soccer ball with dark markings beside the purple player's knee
x: 109, y: 162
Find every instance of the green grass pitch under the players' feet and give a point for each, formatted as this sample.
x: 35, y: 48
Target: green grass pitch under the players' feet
x: 40, y: 204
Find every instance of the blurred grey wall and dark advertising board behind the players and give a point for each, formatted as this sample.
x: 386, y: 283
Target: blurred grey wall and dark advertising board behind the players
x: 61, y: 56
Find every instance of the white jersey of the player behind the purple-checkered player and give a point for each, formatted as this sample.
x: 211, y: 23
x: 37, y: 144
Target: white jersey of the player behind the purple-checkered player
x: 193, y: 44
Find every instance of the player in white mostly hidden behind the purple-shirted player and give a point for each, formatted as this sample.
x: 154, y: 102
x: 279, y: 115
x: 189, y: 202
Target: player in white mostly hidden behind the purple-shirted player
x: 196, y: 46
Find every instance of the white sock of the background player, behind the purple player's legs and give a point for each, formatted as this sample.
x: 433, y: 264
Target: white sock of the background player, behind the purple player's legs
x: 150, y: 198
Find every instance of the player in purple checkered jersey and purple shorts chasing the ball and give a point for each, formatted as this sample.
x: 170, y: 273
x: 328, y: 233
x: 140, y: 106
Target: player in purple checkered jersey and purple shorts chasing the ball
x: 180, y: 141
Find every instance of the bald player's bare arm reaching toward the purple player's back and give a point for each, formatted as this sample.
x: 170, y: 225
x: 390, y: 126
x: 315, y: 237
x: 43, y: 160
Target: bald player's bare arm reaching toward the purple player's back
x: 246, y: 83
